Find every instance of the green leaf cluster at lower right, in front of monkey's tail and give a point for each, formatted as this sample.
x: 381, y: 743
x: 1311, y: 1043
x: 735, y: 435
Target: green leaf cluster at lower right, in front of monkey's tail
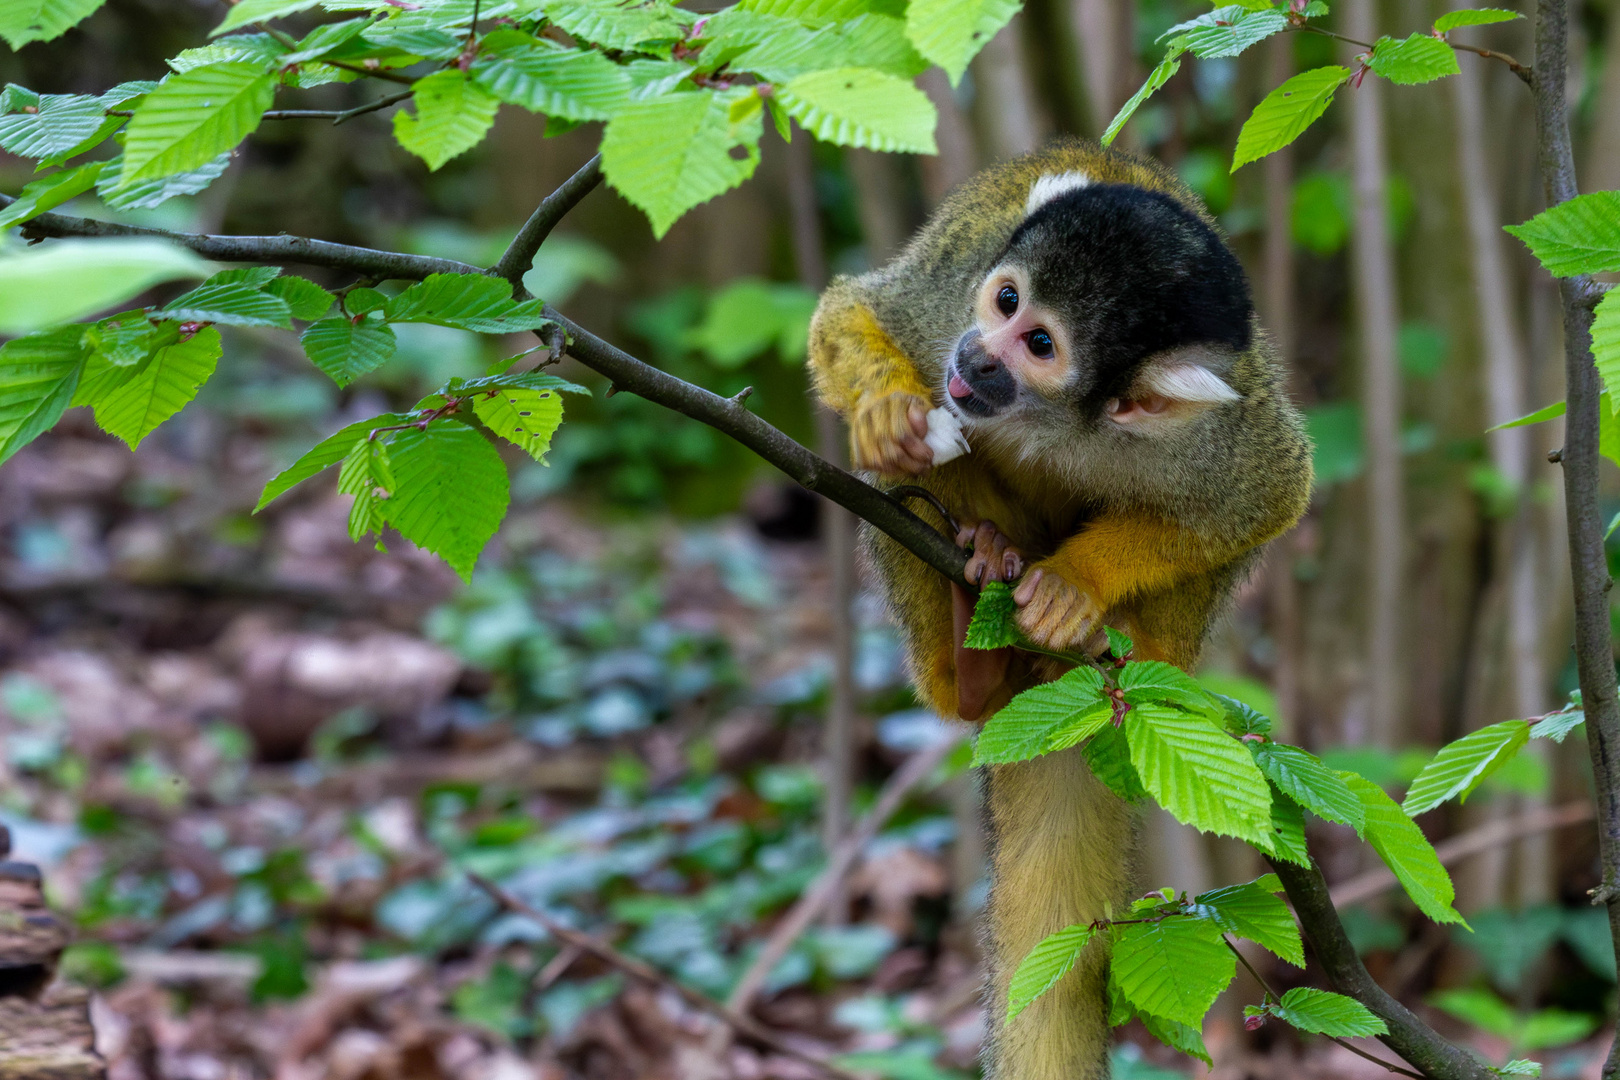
x: 1148, y: 729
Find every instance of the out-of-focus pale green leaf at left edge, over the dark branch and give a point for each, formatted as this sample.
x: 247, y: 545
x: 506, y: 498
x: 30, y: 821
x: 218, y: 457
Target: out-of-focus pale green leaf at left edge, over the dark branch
x: 70, y: 279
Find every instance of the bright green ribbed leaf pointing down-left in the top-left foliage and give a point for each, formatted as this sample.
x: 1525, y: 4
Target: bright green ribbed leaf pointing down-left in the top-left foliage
x: 195, y: 117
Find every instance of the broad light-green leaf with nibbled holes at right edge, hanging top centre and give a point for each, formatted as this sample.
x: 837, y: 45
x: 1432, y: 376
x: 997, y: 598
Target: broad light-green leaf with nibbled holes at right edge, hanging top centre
x: 673, y: 153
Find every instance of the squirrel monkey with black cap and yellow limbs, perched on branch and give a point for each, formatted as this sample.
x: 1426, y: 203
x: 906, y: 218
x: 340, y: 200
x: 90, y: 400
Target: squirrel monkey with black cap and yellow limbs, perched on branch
x: 1132, y: 449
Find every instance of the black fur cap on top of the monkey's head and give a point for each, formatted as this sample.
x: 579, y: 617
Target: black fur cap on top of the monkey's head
x: 1135, y: 273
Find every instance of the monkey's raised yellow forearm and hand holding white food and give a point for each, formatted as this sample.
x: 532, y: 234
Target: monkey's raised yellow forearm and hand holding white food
x: 863, y: 375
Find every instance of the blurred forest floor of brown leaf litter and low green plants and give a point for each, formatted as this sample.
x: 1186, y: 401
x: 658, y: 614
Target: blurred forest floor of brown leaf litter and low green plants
x: 257, y: 763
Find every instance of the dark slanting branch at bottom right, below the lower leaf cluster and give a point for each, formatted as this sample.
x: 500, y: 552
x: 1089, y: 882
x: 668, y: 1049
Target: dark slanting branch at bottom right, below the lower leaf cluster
x: 1409, y: 1037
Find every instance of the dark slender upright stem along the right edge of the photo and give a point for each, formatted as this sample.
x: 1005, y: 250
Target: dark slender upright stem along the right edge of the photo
x: 1588, y: 563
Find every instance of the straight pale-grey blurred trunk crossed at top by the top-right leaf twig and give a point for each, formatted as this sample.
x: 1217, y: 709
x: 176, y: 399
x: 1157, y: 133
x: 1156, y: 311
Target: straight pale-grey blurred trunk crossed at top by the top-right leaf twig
x: 1378, y: 313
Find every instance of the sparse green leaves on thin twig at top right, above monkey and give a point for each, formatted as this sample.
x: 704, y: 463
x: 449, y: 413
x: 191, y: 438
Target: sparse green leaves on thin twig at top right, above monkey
x: 1285, y: 114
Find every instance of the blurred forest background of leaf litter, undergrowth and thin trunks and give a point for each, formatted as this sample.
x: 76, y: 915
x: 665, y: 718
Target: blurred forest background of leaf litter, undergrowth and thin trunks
x: 254, y: 759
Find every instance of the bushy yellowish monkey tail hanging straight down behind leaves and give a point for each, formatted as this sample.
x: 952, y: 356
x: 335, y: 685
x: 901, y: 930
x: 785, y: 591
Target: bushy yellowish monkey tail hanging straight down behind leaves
x: 1062, y: 853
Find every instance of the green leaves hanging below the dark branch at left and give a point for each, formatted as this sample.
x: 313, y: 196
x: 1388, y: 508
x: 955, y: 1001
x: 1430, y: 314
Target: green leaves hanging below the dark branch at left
x: 427, y: 474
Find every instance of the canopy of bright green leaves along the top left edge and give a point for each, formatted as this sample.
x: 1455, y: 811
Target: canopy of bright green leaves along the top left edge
x: 684, y: 98
